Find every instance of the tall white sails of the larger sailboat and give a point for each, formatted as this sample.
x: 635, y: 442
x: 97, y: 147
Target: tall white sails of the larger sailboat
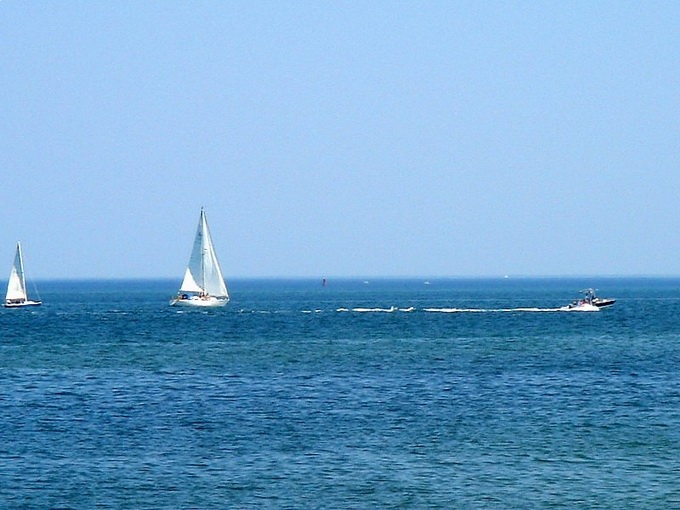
x: 203, y: 274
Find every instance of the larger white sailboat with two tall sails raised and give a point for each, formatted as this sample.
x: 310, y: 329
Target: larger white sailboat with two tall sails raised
x: 203, y: 283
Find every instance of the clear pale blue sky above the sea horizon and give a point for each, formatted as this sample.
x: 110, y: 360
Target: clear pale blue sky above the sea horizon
x: 341, y: 138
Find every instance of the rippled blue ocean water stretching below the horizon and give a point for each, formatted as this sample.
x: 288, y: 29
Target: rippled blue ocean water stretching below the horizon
x: 387, y: 393
